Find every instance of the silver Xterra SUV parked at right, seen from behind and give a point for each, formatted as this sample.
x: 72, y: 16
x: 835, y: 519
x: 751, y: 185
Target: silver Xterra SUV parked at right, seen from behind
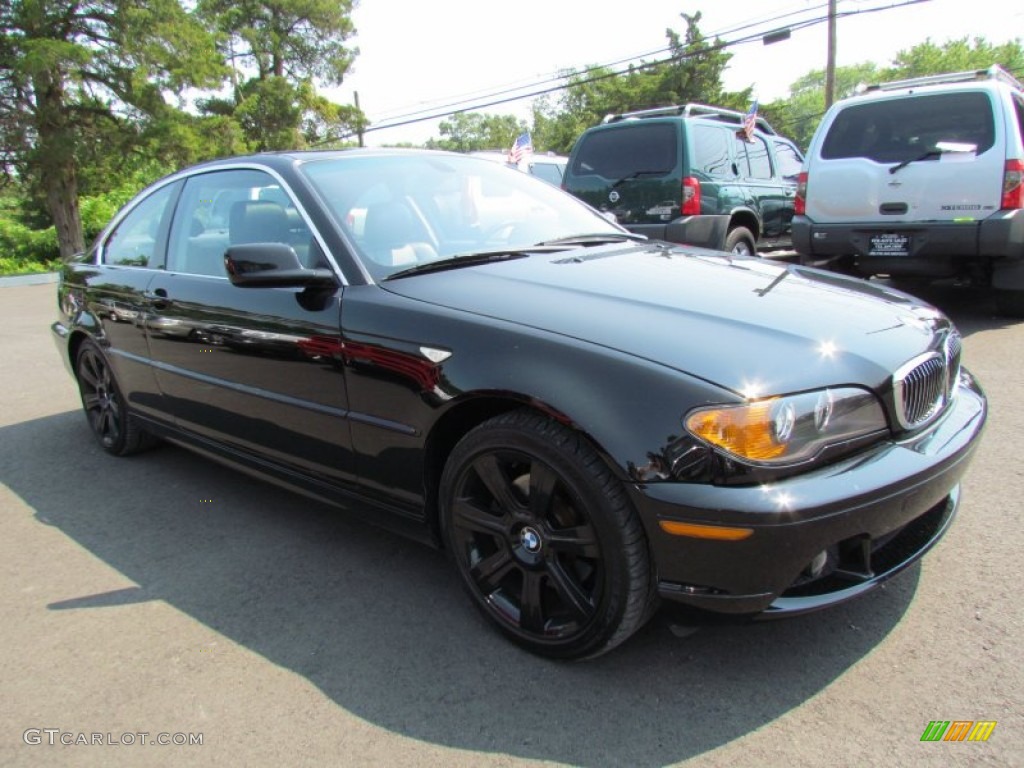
x: 921, y: 179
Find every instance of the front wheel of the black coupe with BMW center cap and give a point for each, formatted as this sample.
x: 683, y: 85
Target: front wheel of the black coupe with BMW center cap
x: 545, y: 539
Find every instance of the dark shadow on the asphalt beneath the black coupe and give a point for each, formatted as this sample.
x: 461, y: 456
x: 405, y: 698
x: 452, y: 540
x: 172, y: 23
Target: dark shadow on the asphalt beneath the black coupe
x: 380, y: 624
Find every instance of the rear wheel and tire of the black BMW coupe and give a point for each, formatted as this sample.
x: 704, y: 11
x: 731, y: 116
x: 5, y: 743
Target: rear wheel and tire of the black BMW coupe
x: 106, y: 410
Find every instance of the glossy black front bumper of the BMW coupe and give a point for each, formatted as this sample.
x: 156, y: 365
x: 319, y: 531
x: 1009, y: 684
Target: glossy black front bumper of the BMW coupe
x: 821, y: 538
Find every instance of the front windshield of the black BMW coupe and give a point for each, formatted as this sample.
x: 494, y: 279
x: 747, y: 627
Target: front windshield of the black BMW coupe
x: 404, y: 210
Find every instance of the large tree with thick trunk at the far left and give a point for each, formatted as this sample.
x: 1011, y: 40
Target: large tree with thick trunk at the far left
x: 73, y: 72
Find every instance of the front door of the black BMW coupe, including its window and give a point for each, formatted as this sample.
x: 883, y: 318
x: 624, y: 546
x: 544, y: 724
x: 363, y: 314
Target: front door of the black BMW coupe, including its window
x: 255, y: 369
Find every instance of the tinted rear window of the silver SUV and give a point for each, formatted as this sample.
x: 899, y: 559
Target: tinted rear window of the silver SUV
x: 899, y: 130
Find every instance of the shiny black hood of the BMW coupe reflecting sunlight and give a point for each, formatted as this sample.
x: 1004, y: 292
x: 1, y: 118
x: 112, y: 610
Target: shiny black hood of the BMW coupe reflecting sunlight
x: 751, y: 325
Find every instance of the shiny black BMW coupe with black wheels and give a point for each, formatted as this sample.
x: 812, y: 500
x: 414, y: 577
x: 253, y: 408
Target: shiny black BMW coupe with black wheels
x: 587, y: 421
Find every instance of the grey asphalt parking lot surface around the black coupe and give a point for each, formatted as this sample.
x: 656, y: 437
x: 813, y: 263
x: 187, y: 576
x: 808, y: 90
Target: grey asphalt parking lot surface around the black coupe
x: 164, y: 596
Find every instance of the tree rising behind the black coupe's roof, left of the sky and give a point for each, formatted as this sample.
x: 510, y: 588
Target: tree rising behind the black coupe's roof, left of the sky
x: 278, y: 51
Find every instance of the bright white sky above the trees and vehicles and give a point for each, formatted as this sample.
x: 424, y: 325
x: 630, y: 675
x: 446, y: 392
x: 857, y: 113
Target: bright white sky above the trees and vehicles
x: 420, y: 56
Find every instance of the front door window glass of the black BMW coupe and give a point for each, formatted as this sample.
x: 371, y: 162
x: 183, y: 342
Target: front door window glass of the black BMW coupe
x: 227, y: 208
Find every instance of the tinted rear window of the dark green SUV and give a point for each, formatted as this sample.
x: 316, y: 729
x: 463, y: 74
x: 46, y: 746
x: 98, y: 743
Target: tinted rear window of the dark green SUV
x: 642, y: 150
